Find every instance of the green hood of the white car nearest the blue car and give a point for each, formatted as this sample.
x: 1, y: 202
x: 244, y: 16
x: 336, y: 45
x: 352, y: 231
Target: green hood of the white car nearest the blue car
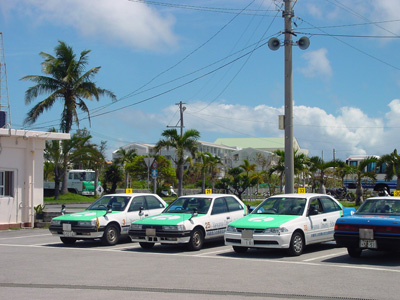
x: 260, y: 221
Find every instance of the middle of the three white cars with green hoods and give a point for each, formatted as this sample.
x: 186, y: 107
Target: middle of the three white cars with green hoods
x: 189, y: 220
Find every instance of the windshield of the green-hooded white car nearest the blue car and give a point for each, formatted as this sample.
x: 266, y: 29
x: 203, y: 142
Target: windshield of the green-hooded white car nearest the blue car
x: 281, y: 206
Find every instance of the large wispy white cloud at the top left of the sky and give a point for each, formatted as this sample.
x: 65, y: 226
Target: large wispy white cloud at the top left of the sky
x: 118, y: 21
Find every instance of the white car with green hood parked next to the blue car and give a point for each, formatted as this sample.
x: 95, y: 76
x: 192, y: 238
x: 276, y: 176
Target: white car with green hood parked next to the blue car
x: 288, y: 221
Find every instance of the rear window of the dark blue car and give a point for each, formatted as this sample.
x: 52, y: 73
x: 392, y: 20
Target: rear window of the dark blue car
x: 379, y: 207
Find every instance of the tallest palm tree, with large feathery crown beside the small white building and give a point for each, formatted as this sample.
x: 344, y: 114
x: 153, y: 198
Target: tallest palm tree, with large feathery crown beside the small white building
x: 67, y: 81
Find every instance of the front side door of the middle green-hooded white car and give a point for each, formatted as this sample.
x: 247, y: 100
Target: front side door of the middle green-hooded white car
x: 219, y: 218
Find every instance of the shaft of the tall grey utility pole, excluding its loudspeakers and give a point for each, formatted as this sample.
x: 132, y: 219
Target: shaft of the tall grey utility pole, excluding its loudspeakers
x: 289, y: 154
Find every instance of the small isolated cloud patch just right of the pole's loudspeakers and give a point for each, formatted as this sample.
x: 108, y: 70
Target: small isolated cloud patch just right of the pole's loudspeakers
x: 317, y: 64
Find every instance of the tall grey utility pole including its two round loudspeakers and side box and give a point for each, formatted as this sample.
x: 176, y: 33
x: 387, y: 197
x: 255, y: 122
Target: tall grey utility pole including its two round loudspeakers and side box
x: 287, y: 120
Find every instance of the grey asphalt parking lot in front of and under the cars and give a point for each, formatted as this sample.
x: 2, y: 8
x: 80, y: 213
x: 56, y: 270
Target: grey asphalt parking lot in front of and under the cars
x: 36, y: 265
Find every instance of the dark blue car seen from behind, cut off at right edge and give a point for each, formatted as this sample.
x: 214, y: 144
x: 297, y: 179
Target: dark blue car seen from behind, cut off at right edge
x: 375, y: 226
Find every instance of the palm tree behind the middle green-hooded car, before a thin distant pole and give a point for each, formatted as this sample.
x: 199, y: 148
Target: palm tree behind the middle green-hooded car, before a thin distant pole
x: 181, y: 143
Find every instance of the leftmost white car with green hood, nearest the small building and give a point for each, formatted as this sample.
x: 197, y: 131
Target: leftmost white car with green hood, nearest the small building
x: 108, y: 218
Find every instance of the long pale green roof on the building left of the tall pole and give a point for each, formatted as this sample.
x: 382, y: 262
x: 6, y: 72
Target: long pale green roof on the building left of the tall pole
x: 256, y: 143
